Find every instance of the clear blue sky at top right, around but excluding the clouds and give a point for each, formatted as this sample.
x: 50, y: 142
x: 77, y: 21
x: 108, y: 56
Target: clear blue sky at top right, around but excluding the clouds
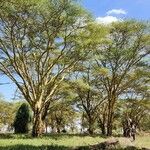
x: 139, y: 9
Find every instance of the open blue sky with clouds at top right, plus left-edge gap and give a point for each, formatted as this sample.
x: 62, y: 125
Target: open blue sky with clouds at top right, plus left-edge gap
x: 103, y: 10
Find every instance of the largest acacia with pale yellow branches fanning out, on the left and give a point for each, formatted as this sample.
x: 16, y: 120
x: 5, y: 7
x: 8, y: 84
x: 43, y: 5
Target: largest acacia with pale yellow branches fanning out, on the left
x: 39, y: 47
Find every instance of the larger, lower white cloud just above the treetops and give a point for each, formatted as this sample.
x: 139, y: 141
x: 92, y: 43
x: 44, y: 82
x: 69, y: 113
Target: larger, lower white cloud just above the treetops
x: 107, y: 19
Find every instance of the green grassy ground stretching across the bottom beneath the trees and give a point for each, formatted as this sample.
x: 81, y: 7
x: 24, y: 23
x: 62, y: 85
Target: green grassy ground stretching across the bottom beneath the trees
x: 58, y: 142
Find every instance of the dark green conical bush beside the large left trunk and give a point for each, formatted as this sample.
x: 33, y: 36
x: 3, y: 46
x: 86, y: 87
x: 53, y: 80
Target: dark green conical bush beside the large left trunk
x: 22, y: 119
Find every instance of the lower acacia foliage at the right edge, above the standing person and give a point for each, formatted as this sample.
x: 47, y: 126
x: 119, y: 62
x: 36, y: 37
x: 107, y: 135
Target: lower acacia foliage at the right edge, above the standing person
x: 136, y: 105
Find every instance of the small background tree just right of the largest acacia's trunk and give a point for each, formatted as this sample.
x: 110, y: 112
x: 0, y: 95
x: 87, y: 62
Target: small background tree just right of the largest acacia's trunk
x: 61, y: 113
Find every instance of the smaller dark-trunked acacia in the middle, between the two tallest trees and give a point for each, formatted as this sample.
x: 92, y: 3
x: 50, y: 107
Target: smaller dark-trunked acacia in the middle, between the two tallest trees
x: 88, y: 98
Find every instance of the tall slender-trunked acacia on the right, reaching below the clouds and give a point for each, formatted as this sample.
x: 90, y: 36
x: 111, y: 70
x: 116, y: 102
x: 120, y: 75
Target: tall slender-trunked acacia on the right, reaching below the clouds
x: 127, y: 46
